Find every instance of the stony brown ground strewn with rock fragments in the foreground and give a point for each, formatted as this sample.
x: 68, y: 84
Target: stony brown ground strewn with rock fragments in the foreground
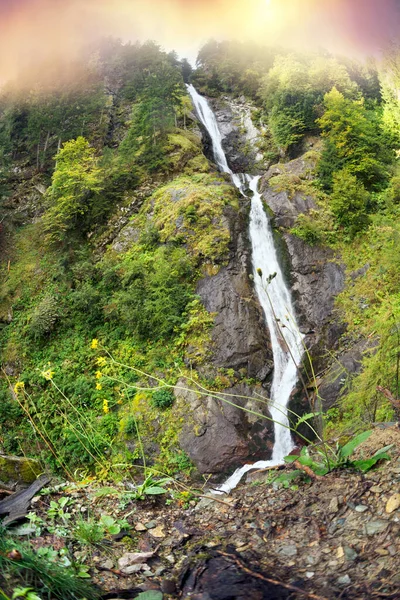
x: 332, y: 537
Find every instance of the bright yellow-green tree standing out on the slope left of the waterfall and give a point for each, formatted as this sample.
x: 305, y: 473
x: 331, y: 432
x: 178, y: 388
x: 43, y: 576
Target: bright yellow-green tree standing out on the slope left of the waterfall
x: 75, y: 182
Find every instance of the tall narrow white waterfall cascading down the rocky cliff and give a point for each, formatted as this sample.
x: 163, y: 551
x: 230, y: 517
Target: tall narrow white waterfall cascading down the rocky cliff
x: 274, y: 297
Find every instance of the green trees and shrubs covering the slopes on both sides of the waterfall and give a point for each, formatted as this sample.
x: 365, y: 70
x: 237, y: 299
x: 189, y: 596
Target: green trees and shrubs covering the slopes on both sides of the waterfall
x: 112, y: 215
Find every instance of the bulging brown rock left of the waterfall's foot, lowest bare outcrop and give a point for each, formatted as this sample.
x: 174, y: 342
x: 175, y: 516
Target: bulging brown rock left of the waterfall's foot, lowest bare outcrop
x: 219, y: 436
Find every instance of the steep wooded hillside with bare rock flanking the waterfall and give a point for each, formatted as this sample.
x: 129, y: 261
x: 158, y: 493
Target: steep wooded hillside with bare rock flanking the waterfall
x: 133, y: 343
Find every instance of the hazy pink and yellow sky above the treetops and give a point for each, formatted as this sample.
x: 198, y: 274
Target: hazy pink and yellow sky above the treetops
x: 43, y: 28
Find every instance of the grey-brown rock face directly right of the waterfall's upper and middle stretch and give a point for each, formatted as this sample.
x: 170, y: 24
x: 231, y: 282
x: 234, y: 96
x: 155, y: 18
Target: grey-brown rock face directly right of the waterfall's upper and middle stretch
x: 315, y: 275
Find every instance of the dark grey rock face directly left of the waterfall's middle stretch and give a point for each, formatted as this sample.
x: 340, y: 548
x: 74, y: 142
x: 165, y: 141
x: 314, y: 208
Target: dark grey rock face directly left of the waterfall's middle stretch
x: 240, y: 337
